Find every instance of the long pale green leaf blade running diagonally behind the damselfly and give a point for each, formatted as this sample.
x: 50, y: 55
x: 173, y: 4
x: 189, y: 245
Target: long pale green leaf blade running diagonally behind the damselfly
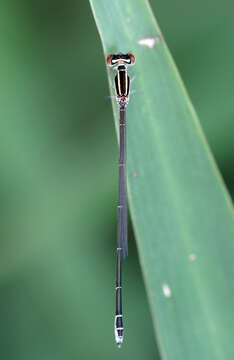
x: 181, y: 212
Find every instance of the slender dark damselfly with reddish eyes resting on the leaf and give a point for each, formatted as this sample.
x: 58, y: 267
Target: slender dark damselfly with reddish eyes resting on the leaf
x: 120, y: 63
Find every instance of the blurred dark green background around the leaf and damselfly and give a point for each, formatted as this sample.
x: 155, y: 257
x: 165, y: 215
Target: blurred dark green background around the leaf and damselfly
x: 58, y: 173
